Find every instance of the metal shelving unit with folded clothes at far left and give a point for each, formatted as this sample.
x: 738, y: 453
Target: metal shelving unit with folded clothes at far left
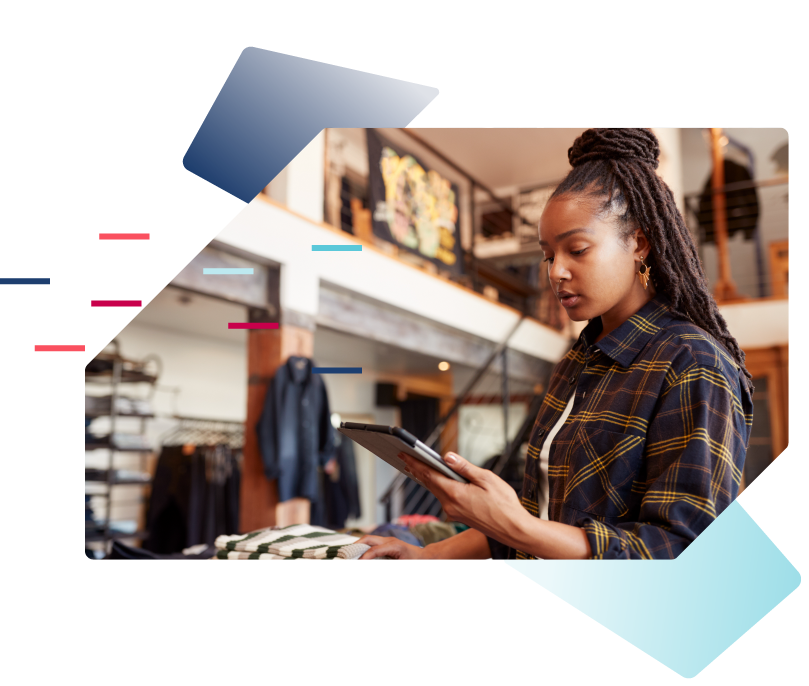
x: 118, y: 372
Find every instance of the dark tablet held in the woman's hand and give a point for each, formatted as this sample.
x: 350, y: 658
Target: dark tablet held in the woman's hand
x: 387, y: 441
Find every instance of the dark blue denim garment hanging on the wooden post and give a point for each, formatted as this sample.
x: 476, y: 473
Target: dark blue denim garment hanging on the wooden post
x: 295, y: 434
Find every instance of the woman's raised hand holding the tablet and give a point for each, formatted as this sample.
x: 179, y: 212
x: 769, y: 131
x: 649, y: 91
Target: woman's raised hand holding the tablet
x: 486, y: 503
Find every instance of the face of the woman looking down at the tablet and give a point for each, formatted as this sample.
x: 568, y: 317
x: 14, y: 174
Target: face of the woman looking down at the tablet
x: 593, y: 263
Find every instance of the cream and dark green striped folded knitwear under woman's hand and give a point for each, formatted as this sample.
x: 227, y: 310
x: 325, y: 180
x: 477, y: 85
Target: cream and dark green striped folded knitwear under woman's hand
x: 294, y: 542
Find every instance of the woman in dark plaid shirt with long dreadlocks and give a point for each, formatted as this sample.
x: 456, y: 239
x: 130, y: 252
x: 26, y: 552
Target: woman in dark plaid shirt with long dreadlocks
x: 647, y: 419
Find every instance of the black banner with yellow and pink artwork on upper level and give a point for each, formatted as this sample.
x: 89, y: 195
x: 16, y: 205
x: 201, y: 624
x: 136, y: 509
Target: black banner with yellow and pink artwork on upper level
x: 420, y: 207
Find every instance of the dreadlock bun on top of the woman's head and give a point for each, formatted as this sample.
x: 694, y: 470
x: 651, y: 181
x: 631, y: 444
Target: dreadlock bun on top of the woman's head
x: 638, y: 144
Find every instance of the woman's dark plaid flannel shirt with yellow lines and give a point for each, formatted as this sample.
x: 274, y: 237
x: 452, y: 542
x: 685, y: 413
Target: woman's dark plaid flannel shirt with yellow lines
x: 654, y: 446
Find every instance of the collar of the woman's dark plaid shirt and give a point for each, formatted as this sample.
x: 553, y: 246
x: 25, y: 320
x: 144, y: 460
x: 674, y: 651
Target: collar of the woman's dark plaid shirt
x: 625, y: 343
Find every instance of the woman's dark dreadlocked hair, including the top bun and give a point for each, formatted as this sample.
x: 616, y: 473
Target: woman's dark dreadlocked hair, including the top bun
x: 615, y: 167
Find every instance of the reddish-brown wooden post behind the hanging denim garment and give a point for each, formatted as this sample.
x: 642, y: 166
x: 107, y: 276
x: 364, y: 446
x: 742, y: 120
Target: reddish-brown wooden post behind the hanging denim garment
x: 266, y: 351
